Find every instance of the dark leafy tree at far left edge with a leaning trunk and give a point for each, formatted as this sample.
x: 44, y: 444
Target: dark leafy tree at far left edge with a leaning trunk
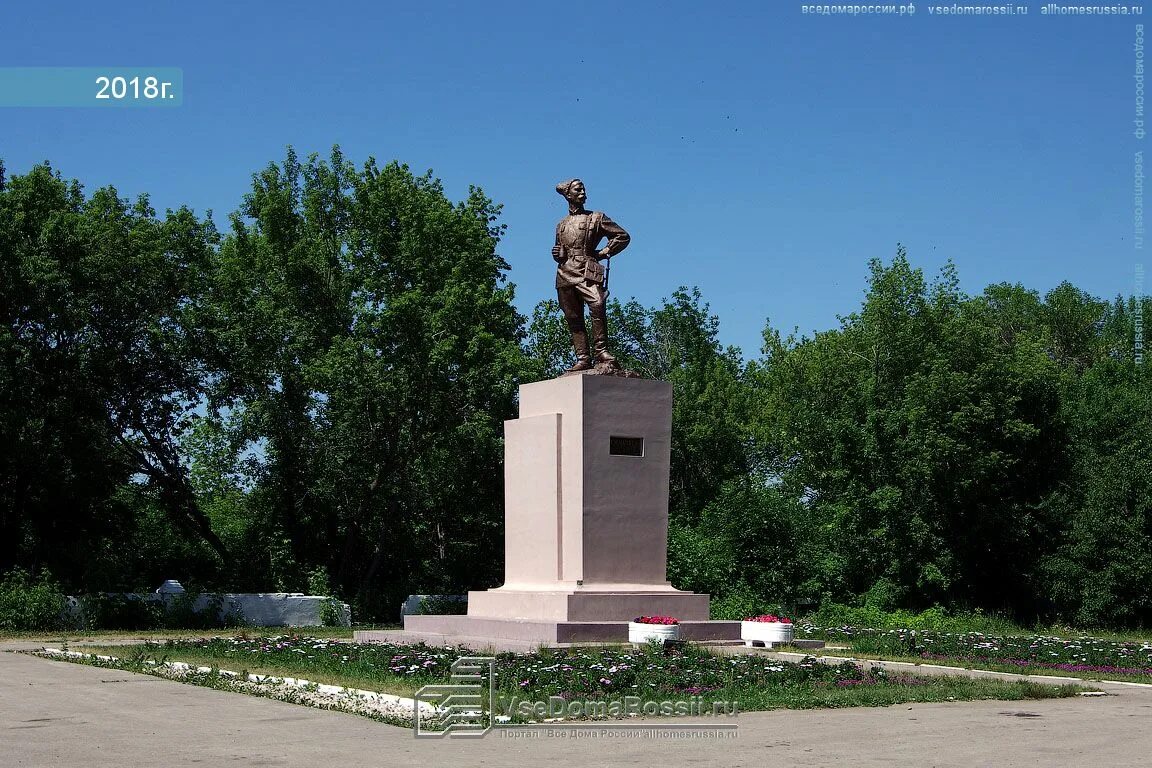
x: 101, y: 364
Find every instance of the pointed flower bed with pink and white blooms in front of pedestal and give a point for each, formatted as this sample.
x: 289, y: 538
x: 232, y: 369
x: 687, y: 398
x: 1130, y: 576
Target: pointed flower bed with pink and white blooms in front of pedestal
x: 650, y: 674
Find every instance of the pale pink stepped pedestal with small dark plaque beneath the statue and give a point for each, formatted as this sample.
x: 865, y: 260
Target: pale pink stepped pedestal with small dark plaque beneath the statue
x: 587, y: 470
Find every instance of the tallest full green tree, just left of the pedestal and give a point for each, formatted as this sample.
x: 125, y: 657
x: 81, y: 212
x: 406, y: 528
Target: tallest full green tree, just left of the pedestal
x: 375, y: 354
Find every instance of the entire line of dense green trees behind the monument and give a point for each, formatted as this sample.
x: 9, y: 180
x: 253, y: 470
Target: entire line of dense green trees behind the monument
x: 316, y: 398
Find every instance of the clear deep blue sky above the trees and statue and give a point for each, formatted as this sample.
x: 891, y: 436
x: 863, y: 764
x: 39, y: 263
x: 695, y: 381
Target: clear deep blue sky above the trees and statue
x: 754, y: 151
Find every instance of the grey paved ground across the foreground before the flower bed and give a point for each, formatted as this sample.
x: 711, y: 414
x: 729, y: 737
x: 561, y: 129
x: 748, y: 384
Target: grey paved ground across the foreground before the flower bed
x: 57, y: 714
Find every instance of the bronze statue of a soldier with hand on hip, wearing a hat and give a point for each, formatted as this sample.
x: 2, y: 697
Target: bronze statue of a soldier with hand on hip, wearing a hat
x: 581, y: 277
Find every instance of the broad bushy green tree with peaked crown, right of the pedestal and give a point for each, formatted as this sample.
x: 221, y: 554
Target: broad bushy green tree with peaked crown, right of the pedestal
x: 926, y: 445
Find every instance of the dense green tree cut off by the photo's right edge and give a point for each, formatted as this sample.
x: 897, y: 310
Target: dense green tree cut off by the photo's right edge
x: 1100, y: 565
